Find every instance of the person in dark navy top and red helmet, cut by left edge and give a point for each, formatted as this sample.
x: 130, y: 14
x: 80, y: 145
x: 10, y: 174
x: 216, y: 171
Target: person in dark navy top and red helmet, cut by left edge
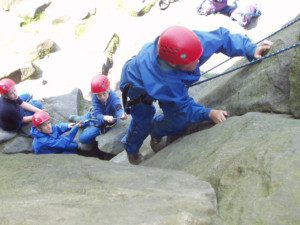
x: 15, y: 110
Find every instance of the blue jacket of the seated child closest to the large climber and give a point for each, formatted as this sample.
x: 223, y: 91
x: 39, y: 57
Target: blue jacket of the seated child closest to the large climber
x: 112, y: 107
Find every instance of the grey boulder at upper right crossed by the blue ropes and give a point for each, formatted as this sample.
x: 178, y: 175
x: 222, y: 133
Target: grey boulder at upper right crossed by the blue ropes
x: 264, y: 87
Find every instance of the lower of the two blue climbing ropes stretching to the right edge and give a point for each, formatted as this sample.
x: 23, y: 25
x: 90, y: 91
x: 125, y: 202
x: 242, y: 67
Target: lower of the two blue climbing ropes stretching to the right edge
x: 250, y: 63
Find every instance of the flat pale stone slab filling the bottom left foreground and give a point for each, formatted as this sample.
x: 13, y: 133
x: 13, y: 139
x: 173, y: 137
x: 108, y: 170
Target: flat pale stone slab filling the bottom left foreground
x: 98, y: 192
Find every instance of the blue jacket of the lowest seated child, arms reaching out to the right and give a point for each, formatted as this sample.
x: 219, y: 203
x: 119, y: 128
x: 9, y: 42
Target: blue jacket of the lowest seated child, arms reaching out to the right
x: 55, y: 142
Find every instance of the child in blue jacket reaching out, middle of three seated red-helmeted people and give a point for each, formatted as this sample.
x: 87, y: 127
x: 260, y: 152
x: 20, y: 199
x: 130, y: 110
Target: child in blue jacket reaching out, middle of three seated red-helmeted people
x: 49, y: 139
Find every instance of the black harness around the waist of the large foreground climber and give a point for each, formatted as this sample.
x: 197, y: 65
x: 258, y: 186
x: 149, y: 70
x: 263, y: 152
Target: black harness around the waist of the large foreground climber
x: 127, y: 104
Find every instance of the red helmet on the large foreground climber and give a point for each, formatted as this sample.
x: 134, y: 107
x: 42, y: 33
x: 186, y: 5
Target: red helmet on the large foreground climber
x: 179, y: 46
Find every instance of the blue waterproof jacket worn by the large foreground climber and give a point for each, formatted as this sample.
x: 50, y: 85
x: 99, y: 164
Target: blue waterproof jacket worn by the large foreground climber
x: 170, y: 87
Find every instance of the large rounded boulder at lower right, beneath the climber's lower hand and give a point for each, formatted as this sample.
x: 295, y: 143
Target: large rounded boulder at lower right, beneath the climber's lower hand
x: 252, y: 161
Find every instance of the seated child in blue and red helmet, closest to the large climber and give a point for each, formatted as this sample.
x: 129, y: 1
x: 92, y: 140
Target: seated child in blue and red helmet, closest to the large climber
x: 106, y: 110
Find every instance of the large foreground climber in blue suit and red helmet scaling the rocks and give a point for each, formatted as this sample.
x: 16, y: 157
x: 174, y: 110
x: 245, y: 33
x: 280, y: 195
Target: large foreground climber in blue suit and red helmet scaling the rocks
x: 163, y: 71
